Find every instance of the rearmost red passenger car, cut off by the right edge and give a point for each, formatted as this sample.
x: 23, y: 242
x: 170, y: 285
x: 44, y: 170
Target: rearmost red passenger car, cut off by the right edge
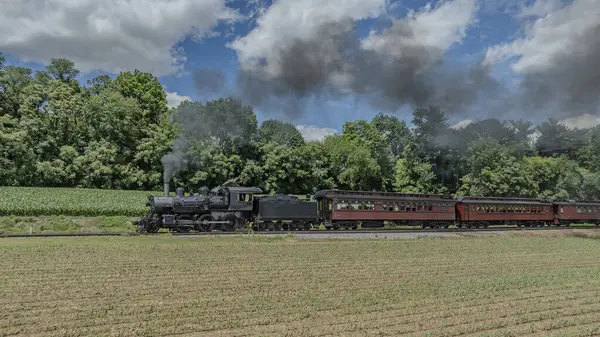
x: 567, y: 213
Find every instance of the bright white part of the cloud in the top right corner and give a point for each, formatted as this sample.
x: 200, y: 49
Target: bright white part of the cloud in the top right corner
x: 549, y: 36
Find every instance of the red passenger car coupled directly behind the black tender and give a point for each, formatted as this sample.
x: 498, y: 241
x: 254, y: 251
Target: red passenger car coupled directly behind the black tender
x: 348, y: 209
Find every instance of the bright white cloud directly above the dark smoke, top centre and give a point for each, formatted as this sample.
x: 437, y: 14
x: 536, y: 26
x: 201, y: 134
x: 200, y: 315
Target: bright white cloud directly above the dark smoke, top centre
x: 287, y: 20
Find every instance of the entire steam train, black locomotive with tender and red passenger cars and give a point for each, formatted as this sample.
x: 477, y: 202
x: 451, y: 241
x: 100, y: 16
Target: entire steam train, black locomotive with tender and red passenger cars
x: 230, y: 208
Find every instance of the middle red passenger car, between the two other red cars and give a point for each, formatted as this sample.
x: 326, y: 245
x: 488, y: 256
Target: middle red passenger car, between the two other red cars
x: 488, y: 211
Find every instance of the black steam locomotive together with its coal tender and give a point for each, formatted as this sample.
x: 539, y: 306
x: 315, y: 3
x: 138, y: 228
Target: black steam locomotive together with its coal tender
x: 226, y: 208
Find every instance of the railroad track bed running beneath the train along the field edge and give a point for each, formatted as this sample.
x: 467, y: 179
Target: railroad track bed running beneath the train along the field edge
x: 310, y: 232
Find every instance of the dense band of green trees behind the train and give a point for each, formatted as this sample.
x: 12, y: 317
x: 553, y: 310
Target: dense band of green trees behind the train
x: 113, y: 133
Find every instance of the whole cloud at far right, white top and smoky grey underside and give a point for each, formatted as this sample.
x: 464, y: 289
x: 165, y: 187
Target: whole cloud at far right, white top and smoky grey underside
x: 556, y: 58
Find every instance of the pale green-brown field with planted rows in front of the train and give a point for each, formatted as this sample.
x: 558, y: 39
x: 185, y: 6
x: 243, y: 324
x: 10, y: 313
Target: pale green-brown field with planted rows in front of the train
x: 510, y: 286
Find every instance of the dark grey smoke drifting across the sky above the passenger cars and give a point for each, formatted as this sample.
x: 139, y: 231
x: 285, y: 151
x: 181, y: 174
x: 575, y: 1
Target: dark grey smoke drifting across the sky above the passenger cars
x: 336, y: 65
